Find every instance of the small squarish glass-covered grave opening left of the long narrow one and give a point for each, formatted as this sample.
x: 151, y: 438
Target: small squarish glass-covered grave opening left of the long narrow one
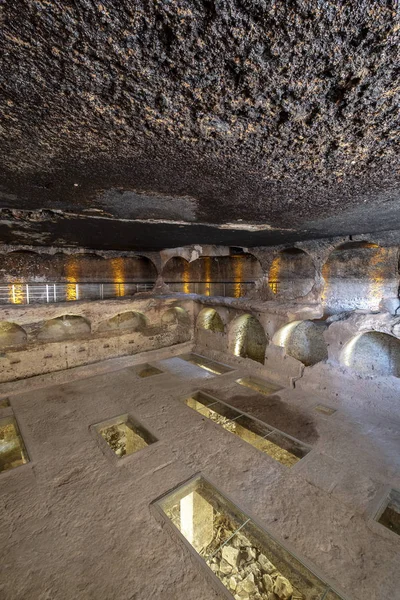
x: 124, y: 436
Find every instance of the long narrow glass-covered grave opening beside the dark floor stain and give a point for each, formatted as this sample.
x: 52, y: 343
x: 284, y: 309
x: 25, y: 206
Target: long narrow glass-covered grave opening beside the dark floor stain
x: 279, y: 446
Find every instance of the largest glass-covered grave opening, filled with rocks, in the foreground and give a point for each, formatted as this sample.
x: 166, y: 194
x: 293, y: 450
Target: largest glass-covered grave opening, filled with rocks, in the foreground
x: 249, y: 562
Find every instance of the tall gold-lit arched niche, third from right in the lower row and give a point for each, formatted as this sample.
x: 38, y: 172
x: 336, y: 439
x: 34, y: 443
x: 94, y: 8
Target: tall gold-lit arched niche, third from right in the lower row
x: 247, y: 338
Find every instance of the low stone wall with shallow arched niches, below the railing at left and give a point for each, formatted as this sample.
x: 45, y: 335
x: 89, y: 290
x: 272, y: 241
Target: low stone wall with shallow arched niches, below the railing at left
x: 41, y: 339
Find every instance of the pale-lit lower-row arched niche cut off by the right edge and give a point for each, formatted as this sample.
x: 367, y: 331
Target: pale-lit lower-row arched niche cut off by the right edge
x: 372, y: 353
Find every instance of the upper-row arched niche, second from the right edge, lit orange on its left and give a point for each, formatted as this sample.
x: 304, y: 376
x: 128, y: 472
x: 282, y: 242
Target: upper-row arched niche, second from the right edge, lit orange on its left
x: 292, y: 274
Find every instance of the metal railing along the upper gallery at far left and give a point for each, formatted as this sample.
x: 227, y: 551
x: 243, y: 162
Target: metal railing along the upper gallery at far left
x: 42, y: 293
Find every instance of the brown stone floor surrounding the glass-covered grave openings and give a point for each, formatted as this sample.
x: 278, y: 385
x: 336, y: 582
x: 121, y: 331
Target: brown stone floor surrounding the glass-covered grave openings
x: 77, y: 523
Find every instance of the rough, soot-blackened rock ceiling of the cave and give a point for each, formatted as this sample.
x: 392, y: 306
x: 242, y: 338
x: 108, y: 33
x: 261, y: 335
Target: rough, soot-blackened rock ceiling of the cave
x: 155, y: 123
